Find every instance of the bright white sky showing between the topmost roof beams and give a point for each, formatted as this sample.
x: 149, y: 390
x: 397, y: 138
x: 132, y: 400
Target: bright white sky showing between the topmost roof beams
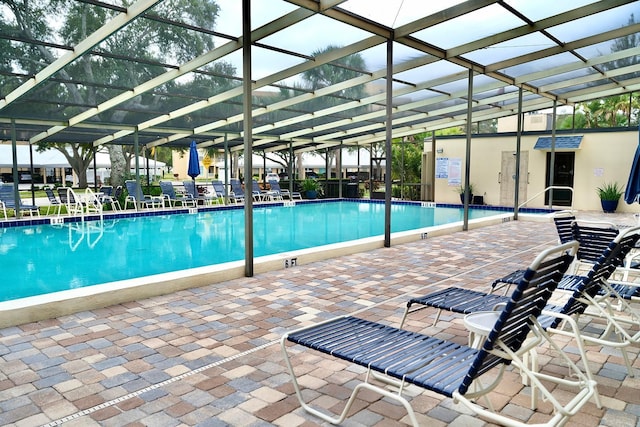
x: 317, y: 32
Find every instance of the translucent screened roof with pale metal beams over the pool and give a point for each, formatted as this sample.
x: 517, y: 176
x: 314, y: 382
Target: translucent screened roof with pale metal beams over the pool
x: 188, y: 86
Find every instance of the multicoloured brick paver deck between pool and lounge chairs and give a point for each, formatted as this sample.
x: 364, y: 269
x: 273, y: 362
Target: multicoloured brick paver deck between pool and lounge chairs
x: 210, y: 356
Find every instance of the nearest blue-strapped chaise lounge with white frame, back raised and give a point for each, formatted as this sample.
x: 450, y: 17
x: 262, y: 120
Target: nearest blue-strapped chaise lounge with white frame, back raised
x: 397, y: 357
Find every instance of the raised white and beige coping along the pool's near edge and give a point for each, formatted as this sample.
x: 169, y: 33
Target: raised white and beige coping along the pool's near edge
x: 67, y: 302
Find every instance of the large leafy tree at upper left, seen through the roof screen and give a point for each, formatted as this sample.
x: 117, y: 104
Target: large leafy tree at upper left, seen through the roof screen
x: 125, y: 59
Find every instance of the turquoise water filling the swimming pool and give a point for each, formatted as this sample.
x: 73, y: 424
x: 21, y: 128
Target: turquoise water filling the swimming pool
x: 46, y: 258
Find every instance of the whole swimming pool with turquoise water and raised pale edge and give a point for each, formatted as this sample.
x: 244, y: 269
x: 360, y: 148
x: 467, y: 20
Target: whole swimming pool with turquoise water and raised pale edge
x: 52, y: 270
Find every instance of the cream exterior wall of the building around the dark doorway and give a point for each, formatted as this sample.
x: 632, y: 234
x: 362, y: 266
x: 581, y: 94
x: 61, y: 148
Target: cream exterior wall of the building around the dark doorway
x: 602, y: 157
